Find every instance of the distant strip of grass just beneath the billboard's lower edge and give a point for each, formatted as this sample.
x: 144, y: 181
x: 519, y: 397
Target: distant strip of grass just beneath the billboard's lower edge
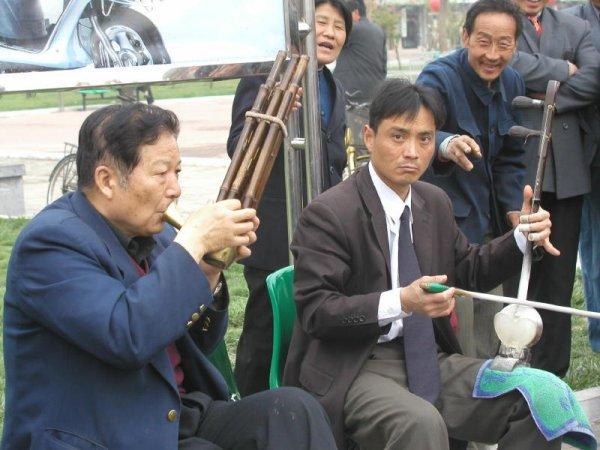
x: 20, y: 101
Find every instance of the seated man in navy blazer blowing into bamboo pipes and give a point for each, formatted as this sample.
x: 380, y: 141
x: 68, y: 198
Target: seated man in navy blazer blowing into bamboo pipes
x: 108, y: 316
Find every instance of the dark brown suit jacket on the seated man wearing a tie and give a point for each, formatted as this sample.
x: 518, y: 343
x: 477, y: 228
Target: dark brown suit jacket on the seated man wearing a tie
x: 342, y: 266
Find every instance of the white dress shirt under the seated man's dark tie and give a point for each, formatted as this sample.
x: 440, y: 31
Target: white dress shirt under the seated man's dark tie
x: 390, y: 303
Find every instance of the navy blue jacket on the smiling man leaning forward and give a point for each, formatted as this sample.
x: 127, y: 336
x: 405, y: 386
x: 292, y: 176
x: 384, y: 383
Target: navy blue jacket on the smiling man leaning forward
x: 480, y: 198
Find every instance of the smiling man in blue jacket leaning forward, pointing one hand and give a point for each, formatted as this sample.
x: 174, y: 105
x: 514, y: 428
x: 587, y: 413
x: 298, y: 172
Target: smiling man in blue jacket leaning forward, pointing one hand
x: 477, y: 86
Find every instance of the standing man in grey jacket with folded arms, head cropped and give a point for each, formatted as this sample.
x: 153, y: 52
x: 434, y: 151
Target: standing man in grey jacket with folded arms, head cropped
x: 556, y: 45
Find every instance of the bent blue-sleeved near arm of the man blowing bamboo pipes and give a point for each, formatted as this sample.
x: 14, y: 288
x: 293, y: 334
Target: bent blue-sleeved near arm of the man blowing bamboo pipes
x: 66, y: 289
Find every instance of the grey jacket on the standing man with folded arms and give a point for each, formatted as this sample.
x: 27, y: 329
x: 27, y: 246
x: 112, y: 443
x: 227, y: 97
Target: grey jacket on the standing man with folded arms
x: 567, y: 38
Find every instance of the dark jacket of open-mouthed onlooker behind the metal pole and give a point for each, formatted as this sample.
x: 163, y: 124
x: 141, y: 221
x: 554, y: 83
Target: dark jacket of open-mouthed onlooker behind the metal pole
x: 270, y: 252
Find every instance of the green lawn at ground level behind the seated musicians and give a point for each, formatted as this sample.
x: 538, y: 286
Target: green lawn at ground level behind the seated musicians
x: 585, y: 364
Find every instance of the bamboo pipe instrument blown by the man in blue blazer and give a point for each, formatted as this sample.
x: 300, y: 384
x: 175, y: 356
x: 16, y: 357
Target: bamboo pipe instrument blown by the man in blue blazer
x: 258, y: 145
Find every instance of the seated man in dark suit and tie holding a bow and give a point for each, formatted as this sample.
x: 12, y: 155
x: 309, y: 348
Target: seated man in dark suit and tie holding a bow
x: 365, y: 343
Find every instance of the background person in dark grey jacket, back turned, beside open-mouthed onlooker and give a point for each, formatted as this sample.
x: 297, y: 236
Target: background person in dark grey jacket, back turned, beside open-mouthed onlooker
x: 362, y: 63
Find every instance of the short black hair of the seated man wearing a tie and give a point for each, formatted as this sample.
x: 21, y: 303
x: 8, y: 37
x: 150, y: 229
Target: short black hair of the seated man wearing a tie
x: 398, y: 97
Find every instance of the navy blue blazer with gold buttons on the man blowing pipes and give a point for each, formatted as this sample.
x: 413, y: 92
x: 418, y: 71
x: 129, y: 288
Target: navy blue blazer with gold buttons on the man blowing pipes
x: 85, y: 337
